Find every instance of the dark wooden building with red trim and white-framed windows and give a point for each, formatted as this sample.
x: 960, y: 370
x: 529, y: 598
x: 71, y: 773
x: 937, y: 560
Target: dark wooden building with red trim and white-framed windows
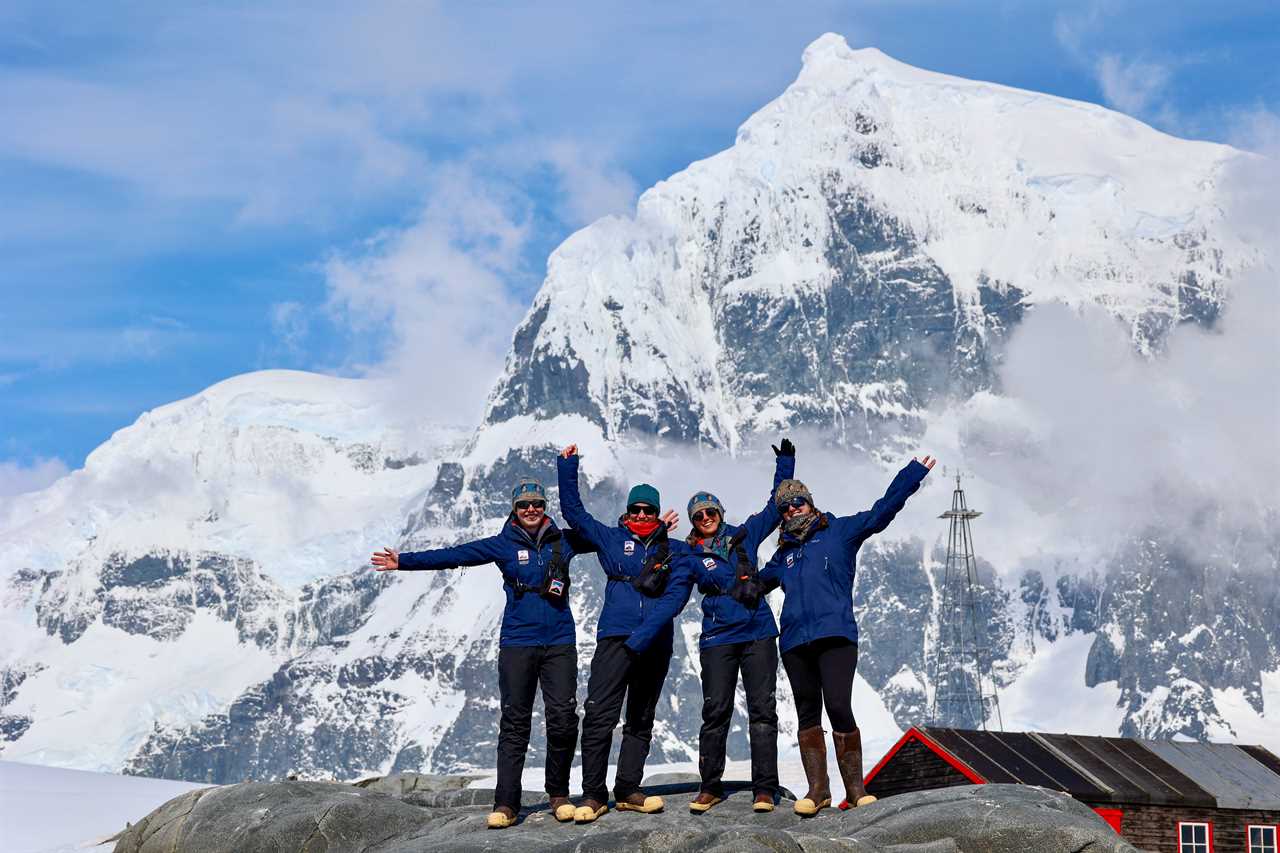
x: 1163, y: 796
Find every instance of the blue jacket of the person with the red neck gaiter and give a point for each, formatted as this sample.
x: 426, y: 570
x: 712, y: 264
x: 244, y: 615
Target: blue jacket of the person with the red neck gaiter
x: 627, y: 613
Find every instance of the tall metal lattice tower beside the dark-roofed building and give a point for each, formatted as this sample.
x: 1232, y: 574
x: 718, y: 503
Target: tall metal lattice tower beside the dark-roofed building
x: 964, y: 688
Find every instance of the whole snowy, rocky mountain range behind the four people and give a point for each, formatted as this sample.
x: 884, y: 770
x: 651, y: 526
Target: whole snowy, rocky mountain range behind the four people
x: 854, y: 262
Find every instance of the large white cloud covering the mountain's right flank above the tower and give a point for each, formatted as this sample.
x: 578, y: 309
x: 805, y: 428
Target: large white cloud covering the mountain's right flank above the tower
x: 1104, y: 443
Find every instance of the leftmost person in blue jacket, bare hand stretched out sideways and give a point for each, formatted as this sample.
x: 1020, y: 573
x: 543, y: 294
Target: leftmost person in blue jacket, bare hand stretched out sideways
x: 537, y: 646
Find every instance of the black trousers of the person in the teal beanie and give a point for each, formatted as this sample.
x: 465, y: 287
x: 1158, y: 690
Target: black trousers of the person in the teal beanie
x: 618, y: 674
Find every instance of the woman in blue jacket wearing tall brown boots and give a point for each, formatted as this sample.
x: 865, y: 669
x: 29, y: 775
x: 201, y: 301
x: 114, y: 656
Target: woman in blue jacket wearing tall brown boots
x: 815, y: 565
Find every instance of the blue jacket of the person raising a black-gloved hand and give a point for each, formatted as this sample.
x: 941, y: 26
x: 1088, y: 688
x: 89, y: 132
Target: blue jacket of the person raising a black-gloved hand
x: 725, y: 621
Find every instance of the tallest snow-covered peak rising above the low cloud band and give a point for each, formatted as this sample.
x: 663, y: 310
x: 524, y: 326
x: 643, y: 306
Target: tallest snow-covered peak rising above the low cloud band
x: 871, y: 216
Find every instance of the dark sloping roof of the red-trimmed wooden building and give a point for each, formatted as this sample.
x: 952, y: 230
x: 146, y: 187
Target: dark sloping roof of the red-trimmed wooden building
x: 1119, y: 770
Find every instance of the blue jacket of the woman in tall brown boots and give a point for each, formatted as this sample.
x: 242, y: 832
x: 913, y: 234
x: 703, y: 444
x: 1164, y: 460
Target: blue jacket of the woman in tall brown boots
x: 817, y: 574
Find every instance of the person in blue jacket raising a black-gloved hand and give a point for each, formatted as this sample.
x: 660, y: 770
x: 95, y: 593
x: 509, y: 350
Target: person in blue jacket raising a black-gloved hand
x: 739, y: 637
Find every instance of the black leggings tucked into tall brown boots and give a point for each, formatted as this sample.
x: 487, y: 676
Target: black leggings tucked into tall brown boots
x: 822, y: 673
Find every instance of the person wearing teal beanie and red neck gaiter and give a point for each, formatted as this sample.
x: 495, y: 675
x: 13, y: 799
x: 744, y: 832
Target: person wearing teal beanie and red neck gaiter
x: 634, y: 640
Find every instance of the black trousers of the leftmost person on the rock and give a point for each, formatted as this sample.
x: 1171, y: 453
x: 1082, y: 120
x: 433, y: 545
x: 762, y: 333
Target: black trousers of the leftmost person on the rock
x: 522, y: 669
